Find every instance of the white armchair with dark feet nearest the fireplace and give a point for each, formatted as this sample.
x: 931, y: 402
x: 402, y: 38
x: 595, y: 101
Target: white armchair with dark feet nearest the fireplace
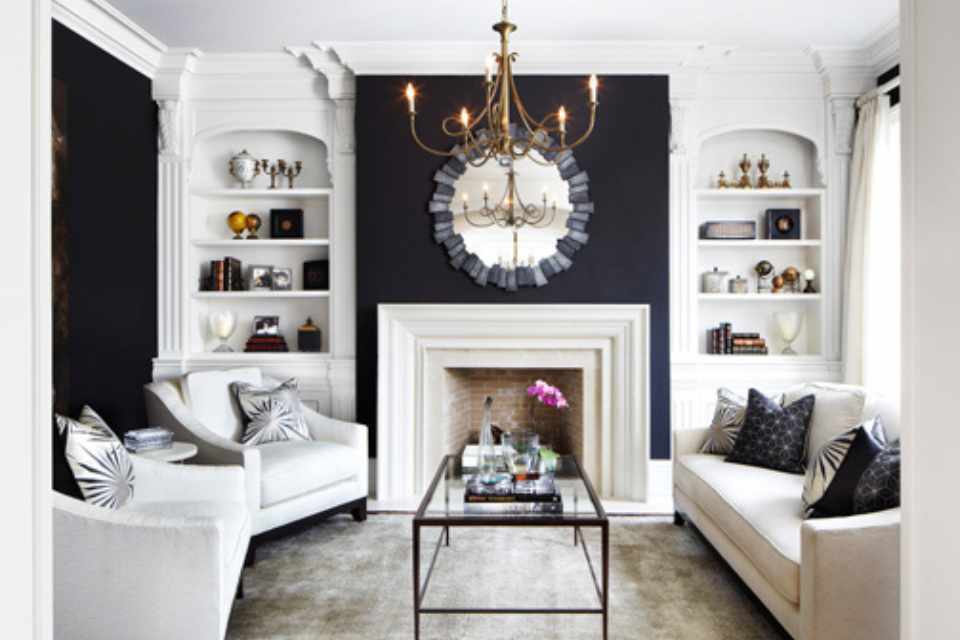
x: 286, y: 481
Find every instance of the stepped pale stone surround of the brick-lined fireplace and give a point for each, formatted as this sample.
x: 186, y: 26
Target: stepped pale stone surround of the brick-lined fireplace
x: 417, y: 343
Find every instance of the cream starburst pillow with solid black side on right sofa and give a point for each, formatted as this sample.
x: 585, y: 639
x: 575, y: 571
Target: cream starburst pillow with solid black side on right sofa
x: 836, y: 470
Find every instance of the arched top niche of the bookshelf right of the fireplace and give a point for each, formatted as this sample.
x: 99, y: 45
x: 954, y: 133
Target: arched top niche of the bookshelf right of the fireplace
x: 786, y: 151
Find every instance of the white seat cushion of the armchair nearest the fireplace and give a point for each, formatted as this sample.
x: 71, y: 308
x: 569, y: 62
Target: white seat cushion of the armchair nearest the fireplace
x: 296, y: 467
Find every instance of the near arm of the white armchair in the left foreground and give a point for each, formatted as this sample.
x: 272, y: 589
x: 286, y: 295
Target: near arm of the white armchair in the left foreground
x: 117, y: 572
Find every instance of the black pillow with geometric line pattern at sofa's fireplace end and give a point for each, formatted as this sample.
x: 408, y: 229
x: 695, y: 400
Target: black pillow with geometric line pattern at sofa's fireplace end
x: 772, y: 436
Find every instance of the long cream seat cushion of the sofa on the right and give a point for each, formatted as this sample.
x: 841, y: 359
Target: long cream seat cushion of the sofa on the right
x: 765, y: 525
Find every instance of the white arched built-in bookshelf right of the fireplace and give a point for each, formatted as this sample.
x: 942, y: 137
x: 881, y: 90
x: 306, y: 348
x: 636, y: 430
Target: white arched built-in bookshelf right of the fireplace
x: 753, y: 312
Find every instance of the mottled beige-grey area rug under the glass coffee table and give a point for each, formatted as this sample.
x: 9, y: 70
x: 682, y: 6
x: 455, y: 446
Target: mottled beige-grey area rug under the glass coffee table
x: 346, y: 580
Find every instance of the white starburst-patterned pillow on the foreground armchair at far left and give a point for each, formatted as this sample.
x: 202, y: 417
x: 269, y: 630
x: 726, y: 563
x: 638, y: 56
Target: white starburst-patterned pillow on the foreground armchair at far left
x: 99, y: 462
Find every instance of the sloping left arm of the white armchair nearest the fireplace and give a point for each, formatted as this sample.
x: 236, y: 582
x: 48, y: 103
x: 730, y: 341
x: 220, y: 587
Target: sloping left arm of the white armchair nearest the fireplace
x: 165, y: 408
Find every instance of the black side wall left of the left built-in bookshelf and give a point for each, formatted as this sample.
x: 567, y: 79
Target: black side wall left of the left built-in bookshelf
x: 111, y: 238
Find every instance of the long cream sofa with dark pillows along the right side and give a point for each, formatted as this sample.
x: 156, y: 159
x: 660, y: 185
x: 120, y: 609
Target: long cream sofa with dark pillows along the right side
x: 823, y: 579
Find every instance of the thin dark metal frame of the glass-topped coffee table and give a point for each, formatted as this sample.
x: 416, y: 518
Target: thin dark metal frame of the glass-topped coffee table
x: 446, y: 521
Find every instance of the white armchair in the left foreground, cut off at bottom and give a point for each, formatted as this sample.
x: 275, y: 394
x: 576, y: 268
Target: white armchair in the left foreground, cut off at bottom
x: 165, y: 565
